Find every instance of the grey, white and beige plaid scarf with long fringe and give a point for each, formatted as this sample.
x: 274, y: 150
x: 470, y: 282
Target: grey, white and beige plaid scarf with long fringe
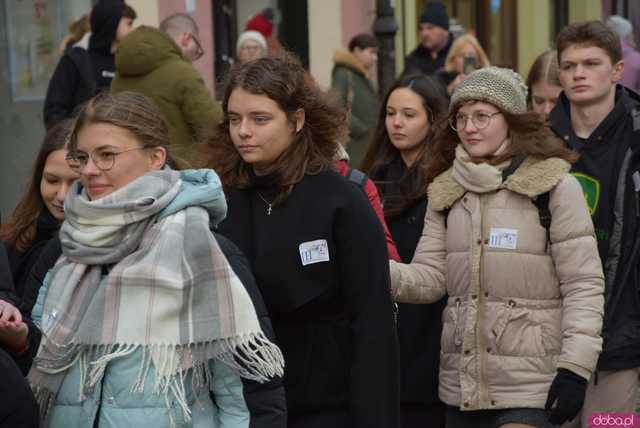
x: 169, y: 291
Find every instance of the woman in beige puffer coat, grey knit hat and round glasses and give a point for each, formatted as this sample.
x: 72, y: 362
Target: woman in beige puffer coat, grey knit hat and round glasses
x: 509, y: 239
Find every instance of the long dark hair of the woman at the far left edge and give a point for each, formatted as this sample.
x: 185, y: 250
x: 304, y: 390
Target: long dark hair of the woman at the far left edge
x: 21, y: 229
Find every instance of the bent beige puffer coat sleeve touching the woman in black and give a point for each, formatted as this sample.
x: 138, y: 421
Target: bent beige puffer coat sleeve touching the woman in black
x: 423, y: 280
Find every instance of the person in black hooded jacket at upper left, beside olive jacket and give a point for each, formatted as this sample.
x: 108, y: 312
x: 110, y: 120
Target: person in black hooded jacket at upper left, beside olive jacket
x: 82, y: 73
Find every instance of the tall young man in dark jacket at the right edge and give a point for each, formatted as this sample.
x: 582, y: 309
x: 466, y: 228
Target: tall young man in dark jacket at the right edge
x: 595, y: 116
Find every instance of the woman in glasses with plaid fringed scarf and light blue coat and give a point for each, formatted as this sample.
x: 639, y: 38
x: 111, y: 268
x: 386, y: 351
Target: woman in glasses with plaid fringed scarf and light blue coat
x: 144, y: 322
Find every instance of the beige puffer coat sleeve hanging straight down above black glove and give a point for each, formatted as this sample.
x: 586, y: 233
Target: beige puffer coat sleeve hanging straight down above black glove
x: 579, y: 270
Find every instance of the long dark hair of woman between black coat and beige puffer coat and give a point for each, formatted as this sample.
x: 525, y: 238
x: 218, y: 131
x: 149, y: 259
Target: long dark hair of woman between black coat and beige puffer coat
x: 381, y: 151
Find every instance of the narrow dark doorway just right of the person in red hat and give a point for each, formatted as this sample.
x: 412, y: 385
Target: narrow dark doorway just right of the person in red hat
x: 293, y: 29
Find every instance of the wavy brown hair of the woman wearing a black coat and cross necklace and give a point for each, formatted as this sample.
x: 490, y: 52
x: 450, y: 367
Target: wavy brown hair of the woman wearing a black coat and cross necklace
x: 282, y: 79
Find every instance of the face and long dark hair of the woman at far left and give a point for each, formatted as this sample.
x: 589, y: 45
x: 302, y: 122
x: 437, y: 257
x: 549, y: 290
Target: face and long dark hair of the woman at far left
x: 38, y: 215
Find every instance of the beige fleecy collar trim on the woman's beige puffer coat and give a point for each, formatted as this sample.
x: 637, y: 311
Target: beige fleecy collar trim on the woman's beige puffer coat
x: 534, y: 177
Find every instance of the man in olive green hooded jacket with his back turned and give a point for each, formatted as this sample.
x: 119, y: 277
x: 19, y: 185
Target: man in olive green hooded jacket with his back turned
x: 158, y: 64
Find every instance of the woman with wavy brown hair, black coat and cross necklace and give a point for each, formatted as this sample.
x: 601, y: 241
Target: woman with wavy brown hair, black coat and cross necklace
x: 315, y: 244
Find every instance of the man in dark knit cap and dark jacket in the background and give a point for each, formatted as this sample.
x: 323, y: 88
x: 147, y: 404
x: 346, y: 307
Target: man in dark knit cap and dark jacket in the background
x: 435, y: 41
